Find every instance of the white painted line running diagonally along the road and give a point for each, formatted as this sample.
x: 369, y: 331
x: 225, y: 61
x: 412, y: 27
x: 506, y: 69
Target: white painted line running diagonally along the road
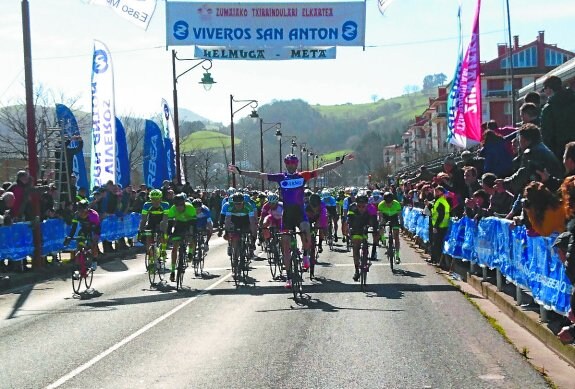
x: 133, y: 336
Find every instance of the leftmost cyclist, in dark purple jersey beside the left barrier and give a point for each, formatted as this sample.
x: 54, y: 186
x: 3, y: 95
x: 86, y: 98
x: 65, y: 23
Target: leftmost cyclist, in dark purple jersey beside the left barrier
x: 89, y: 222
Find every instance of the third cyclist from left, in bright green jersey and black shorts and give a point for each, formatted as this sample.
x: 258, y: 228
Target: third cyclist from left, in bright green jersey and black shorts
x: 183, y: 217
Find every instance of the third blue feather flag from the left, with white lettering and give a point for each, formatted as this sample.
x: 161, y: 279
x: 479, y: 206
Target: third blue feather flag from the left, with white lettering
x: 154, y: 155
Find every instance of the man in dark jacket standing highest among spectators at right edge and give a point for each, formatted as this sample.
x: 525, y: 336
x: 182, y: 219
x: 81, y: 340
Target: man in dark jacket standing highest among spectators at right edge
x: 558, y: 116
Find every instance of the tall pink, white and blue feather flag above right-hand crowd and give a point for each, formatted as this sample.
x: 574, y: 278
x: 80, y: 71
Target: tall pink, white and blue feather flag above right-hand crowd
x: 467, y: 123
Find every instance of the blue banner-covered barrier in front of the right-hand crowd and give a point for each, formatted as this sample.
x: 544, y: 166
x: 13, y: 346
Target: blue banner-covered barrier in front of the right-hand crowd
x: 528, y: 262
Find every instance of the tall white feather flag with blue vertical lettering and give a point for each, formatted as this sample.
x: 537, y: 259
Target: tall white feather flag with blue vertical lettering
x: 103, y: 161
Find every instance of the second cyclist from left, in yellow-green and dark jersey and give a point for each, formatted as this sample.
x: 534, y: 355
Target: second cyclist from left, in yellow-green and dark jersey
x: 155, y: 218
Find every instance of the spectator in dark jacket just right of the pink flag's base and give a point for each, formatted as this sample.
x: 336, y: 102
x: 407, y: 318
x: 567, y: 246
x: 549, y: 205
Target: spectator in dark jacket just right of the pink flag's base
x: 497, y: 158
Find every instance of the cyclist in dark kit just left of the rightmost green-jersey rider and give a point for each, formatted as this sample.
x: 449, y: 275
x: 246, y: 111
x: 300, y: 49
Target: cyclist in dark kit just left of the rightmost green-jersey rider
x: 359, y: 220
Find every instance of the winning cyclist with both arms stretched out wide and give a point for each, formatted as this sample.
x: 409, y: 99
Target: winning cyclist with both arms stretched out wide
x: 292, y: 183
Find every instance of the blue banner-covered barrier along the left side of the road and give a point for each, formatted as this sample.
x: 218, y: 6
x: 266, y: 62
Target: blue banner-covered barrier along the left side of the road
x: 16, y: 240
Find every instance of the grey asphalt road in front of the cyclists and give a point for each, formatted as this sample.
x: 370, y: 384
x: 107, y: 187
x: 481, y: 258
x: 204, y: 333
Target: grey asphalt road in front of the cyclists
x: 409, y: 330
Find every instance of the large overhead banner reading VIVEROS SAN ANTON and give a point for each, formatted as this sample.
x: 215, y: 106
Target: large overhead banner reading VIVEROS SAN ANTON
x: 258, y: 25
